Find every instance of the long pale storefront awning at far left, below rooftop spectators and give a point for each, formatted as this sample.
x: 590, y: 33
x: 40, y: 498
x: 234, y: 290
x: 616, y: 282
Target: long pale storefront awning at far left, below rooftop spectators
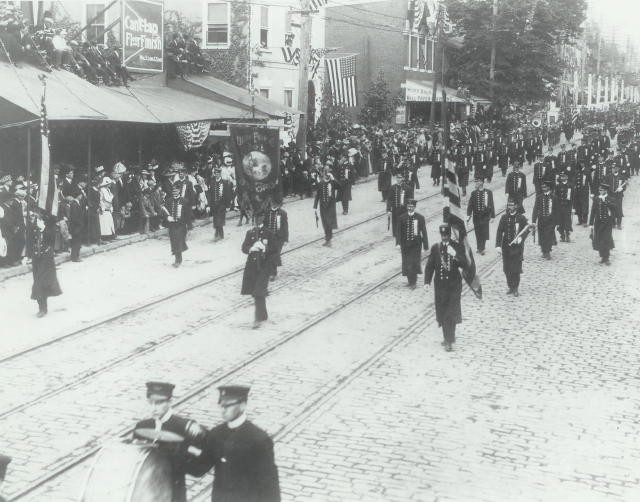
x: 69, y: 97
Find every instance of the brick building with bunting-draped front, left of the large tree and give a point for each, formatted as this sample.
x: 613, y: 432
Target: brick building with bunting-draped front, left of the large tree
x: 395, y: 38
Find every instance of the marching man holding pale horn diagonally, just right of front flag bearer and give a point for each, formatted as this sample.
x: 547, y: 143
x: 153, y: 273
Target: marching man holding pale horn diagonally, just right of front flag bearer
x: 512, y: 231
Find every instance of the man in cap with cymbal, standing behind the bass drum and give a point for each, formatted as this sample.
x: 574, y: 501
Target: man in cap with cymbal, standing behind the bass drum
x: 180, y: 445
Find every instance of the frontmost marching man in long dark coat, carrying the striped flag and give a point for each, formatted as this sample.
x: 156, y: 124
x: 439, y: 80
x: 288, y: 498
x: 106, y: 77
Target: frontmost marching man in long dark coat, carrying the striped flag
x: 442, y: 266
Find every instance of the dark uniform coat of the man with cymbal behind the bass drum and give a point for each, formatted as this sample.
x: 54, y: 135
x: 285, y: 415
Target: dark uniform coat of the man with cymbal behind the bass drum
x: 177, y: 453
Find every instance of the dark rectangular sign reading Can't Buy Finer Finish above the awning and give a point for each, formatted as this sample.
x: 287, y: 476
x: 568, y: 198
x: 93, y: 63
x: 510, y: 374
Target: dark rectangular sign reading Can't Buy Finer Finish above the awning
x: 143, y: 35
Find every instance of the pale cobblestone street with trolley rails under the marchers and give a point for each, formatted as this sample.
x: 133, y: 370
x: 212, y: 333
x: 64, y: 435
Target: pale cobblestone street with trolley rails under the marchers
x: 538, y: 401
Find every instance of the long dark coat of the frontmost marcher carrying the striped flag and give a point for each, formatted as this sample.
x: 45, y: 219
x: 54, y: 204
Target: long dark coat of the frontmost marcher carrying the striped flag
x: 447, y: 280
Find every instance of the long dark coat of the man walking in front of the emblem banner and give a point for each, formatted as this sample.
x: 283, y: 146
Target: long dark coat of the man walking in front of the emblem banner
x: 259, y: 265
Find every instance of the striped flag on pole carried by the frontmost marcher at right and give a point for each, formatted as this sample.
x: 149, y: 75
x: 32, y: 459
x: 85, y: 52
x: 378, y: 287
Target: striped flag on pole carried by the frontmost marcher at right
x: 454, y: 214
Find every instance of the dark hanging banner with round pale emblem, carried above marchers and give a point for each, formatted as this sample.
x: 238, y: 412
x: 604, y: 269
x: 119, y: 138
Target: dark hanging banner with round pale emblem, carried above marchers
x: 256, y: 154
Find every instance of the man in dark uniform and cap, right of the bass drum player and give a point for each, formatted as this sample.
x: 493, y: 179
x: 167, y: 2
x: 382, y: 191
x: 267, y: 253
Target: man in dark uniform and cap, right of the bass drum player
x: 240, y: 453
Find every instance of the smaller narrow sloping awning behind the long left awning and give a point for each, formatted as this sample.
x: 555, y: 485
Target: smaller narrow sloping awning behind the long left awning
x: 214, y: 88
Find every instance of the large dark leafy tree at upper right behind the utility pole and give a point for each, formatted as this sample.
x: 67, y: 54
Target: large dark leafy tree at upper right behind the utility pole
x: 527, y: 36
